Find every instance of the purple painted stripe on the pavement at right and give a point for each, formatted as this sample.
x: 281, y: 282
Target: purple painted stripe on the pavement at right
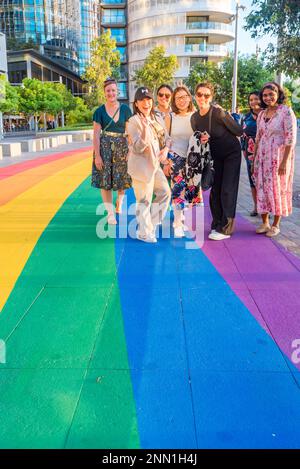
x: 263, y: 275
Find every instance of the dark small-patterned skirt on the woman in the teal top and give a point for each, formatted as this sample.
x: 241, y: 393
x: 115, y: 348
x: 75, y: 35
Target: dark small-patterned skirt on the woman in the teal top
x: 113, y: 176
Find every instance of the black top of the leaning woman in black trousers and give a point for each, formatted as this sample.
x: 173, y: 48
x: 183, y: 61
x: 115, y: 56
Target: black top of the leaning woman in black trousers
x: 224, y: 130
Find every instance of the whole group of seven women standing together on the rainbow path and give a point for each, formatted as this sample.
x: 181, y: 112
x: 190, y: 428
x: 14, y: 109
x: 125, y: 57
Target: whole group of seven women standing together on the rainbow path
x: 149, y: 151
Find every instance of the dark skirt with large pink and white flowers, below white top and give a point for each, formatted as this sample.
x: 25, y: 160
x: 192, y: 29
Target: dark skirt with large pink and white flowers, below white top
x: 183, y: 190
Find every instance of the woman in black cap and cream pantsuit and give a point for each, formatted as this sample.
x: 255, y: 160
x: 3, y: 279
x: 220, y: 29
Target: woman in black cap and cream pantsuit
x: 147, y: 149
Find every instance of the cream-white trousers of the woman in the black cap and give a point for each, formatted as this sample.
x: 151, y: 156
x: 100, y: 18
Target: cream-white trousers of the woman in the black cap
x: 149, y: 214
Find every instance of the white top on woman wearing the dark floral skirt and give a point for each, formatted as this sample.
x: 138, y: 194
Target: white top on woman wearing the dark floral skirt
x: 181, y: 132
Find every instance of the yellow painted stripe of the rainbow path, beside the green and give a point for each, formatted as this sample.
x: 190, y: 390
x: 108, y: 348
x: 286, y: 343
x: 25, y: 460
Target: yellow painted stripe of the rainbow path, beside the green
x: 24, y: 218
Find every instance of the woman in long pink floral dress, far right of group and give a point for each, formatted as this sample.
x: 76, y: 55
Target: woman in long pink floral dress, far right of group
x: 273, y: 166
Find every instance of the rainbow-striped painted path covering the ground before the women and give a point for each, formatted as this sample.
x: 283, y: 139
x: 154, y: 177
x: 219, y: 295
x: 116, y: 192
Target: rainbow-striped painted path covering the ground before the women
x: 119, y: 344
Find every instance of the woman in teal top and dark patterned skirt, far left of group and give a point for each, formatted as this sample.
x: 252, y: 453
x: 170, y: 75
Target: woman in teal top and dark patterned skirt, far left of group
x: 109, y: 170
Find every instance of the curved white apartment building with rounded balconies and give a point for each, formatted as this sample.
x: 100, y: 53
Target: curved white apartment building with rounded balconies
x: 193, y: 30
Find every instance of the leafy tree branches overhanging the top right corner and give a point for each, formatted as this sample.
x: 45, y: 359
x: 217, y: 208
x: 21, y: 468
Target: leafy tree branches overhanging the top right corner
x: 279, y: 18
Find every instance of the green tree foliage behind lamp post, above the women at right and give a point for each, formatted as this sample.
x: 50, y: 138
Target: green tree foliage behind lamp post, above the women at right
x: 252, y: 74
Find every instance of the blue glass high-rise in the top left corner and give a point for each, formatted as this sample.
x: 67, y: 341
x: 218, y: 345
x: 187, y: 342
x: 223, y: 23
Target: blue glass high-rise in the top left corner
x: 52, y: 24
